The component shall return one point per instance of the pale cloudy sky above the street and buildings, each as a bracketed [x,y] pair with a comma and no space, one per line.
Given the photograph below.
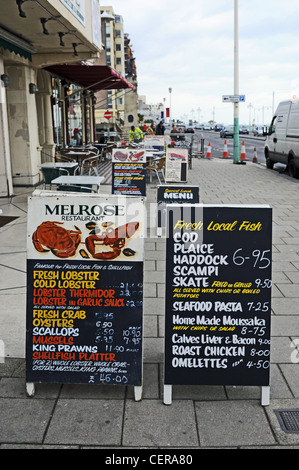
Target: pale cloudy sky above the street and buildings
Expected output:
[189,46]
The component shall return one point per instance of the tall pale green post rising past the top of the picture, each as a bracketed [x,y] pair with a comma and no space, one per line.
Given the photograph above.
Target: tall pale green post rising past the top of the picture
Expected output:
[236,86]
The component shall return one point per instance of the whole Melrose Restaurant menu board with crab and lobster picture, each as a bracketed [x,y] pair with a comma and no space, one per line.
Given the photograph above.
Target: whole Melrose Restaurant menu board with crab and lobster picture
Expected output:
[84,316]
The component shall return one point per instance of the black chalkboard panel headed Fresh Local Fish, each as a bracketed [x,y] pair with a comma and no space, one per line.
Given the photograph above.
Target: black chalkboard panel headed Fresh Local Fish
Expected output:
[218,295]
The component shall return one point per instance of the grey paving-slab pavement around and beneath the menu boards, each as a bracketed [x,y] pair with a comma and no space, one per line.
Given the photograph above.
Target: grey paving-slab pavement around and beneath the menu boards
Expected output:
[107,417]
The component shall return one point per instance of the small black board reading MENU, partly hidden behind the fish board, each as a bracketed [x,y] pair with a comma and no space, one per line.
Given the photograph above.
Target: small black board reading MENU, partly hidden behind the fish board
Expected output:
[174,194]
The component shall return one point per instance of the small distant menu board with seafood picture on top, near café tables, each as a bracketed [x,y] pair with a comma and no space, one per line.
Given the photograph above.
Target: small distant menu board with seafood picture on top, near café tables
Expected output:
[129,171]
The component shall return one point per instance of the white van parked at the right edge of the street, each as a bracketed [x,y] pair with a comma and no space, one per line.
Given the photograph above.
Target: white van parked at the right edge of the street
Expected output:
[282,145]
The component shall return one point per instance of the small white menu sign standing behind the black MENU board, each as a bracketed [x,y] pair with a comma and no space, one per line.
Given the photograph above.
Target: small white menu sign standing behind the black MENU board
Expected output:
[176,165]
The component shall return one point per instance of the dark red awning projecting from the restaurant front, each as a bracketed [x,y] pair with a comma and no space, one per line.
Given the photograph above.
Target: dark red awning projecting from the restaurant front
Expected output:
[92,77]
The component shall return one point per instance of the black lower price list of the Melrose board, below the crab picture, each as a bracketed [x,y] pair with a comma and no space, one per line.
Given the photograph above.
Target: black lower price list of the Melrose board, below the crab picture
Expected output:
[84,322]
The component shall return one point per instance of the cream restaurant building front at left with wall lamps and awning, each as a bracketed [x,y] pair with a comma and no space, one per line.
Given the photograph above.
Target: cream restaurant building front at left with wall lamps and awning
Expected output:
[49,73]
